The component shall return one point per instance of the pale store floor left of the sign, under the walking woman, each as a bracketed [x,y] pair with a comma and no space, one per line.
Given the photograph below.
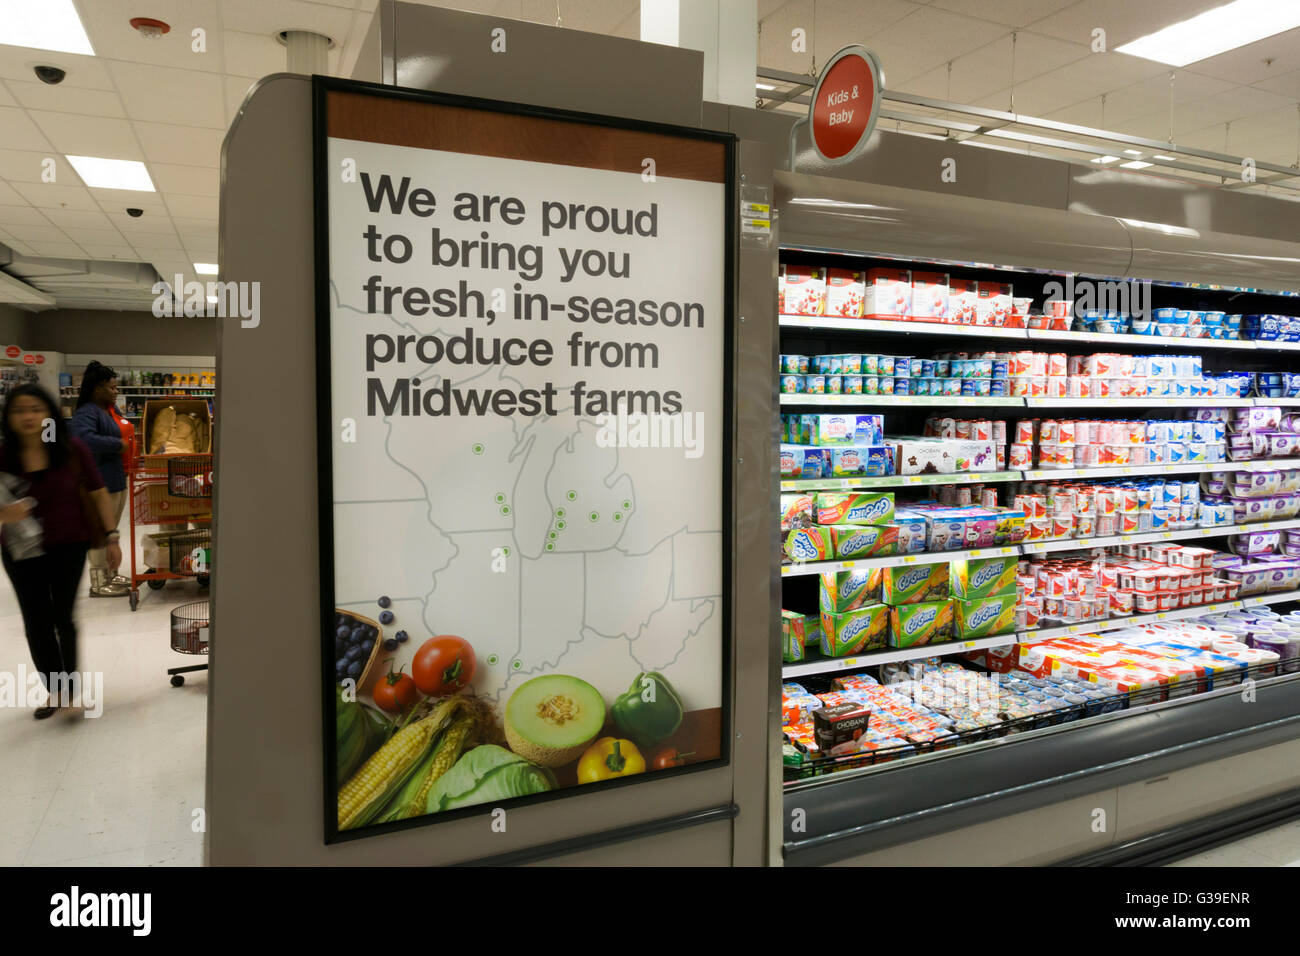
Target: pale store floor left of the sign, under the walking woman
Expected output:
[120,789]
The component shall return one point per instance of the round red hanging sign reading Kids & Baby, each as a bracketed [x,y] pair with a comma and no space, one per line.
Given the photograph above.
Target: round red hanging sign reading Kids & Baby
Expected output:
[846,103]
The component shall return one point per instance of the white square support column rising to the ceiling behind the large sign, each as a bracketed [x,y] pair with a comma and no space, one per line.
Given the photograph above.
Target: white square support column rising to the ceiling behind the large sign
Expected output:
[726,32]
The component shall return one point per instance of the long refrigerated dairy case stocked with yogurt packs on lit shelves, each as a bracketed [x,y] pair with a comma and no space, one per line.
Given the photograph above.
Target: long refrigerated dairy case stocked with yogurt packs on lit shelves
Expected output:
[1039,505]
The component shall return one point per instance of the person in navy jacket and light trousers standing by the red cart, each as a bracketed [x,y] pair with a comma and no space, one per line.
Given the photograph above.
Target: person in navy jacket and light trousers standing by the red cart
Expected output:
[98,429]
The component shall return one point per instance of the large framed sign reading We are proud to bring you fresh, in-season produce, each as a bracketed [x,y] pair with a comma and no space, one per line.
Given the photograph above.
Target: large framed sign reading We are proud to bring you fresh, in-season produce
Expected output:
[523,367]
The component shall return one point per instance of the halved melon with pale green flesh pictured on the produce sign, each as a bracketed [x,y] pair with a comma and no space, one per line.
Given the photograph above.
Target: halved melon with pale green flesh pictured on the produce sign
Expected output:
[553,719]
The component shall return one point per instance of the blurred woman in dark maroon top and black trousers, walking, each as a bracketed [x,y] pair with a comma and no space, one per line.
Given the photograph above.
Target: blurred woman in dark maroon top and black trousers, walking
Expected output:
[73,509]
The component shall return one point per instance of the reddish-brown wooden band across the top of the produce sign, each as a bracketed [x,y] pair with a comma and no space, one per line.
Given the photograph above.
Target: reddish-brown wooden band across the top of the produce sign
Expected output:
[513,136]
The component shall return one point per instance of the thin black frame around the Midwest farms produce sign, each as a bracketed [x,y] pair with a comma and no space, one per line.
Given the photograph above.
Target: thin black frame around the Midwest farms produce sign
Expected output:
[322,88]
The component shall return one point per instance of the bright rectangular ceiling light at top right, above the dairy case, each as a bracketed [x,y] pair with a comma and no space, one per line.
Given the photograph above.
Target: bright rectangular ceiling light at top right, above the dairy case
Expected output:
[1215,32]
